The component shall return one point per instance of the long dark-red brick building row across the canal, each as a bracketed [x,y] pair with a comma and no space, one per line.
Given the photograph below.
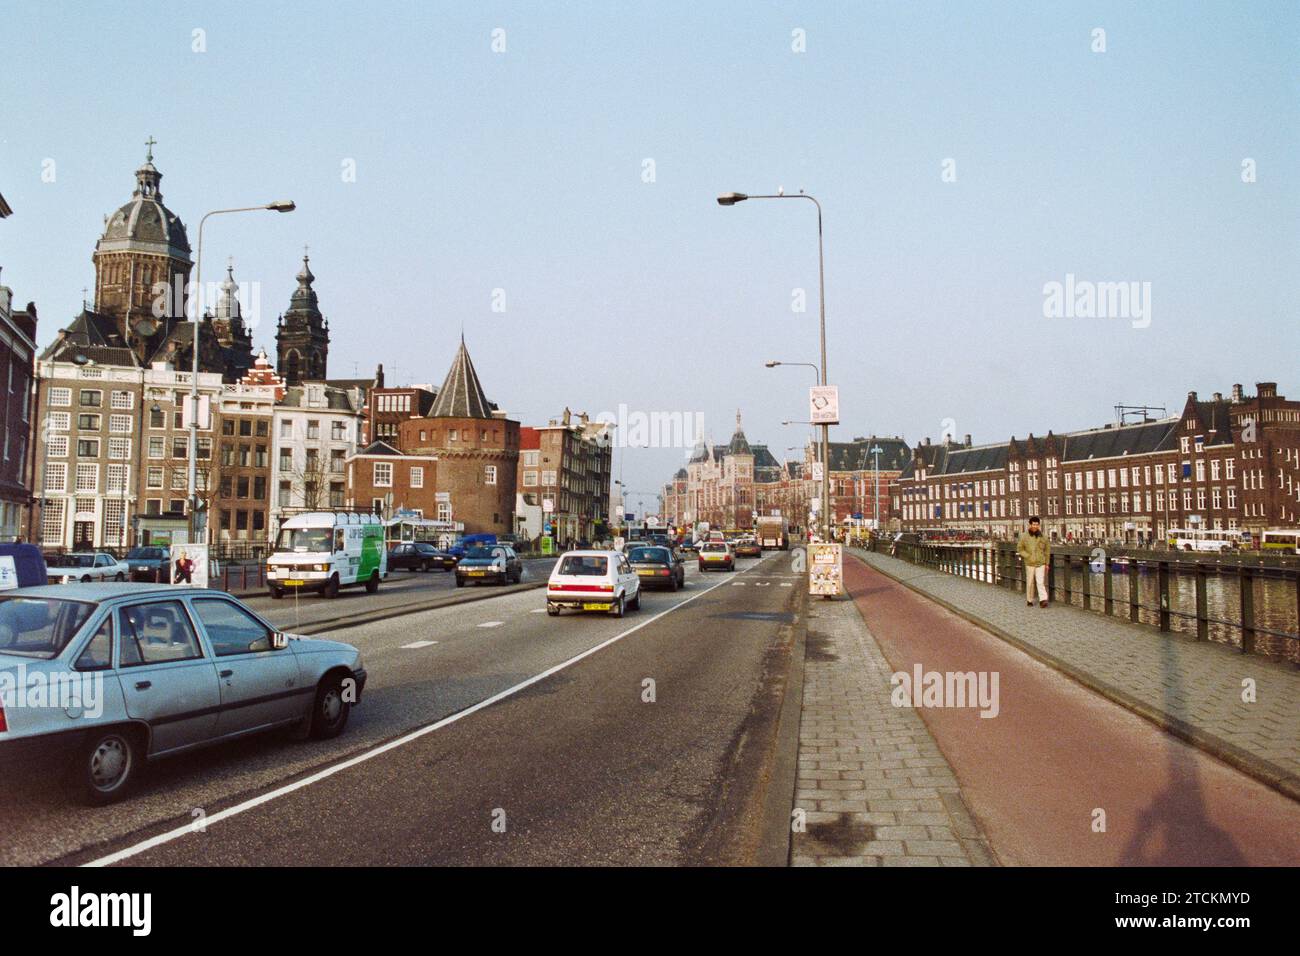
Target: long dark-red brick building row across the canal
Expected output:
[1227,464]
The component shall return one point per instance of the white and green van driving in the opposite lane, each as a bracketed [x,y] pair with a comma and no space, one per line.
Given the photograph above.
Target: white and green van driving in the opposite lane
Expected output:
[327,551]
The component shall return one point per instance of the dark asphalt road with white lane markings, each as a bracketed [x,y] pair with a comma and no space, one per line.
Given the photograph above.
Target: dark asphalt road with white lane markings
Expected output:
[577,764]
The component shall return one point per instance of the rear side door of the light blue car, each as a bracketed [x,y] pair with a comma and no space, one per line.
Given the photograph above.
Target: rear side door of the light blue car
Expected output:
[168,680]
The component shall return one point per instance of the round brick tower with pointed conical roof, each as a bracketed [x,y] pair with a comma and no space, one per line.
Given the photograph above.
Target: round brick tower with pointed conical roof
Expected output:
[478,451]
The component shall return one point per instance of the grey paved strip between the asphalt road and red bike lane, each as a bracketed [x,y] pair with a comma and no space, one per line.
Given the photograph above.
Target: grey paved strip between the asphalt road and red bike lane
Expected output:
[873,784]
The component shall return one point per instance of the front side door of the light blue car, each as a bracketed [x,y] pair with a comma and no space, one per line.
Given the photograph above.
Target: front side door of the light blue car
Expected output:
[259,685]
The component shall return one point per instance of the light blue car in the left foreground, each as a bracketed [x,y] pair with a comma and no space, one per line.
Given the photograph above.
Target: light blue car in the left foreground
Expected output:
[175,671]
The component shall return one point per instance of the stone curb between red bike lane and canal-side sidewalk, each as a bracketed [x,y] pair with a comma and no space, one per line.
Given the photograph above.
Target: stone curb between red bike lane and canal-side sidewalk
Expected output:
[1269,775]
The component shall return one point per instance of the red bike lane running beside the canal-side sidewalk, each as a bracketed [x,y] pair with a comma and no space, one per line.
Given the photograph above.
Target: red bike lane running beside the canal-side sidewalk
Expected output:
[1039,776]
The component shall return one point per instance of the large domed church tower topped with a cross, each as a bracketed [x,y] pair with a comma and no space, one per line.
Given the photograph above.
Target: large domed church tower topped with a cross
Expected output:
[142,265]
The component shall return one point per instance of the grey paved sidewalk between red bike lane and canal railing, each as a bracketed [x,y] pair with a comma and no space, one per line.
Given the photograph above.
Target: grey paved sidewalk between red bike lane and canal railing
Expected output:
[1191,690]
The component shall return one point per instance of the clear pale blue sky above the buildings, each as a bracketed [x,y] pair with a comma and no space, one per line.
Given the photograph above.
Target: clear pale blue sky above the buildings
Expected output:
[541,178]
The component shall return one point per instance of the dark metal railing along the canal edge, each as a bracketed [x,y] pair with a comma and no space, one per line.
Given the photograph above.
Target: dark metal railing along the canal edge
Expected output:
[1072,572]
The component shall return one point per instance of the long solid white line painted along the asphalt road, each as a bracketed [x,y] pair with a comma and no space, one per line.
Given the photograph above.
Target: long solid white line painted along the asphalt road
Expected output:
[161,840]
